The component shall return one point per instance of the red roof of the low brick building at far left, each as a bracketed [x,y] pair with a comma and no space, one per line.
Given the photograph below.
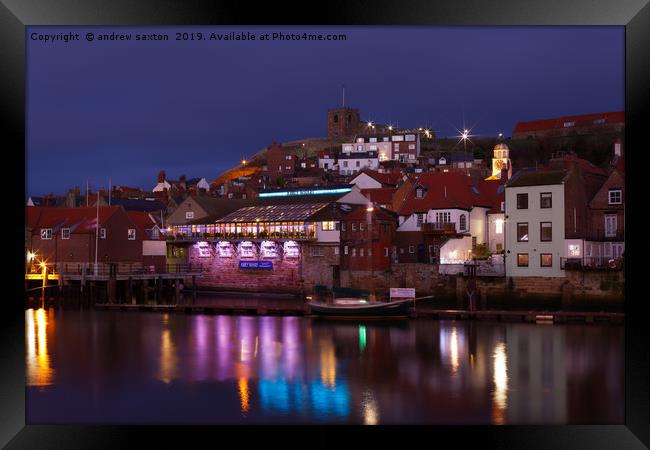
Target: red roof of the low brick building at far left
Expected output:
[79,220]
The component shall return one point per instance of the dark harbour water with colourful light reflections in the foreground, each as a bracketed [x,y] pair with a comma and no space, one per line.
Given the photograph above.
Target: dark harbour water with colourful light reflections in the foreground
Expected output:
[128,367]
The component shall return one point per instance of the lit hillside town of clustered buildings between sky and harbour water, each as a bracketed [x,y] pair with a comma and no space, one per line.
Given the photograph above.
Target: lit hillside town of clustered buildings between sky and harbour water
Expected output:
[370,207]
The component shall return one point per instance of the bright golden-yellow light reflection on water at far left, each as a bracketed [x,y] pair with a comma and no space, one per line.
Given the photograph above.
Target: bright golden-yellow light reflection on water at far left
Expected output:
[39,370]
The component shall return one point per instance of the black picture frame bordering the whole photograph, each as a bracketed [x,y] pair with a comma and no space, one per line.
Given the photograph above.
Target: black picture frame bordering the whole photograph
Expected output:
[15,15]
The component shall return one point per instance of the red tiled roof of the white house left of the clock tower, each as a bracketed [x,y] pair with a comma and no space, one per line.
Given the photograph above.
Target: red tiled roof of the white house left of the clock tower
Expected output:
[450,190]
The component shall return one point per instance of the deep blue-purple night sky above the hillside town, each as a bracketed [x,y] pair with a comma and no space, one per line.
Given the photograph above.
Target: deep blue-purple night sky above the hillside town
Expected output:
[126,110]
